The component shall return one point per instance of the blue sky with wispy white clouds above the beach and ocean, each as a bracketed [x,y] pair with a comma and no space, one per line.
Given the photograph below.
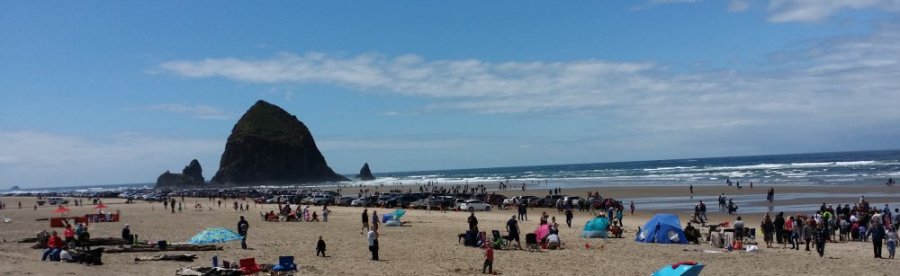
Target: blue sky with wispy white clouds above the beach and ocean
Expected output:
[115,92]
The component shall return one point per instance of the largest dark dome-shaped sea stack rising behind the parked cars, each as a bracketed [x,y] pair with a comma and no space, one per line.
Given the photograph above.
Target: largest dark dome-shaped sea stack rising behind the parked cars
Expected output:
[270,146]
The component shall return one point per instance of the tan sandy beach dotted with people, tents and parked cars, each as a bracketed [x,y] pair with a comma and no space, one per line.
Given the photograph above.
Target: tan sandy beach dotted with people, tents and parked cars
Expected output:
[428,244]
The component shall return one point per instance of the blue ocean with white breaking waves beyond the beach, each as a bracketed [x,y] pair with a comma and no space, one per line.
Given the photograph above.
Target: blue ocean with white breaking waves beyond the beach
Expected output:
[836,168]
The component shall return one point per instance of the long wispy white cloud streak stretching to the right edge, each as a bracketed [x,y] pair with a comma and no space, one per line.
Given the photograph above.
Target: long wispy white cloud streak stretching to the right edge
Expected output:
[855,74]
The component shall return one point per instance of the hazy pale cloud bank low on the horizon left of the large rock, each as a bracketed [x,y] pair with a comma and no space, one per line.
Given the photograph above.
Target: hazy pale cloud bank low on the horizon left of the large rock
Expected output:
[37,159]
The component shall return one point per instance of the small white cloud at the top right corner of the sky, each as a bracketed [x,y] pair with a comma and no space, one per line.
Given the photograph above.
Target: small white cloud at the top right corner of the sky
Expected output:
[817,10]
